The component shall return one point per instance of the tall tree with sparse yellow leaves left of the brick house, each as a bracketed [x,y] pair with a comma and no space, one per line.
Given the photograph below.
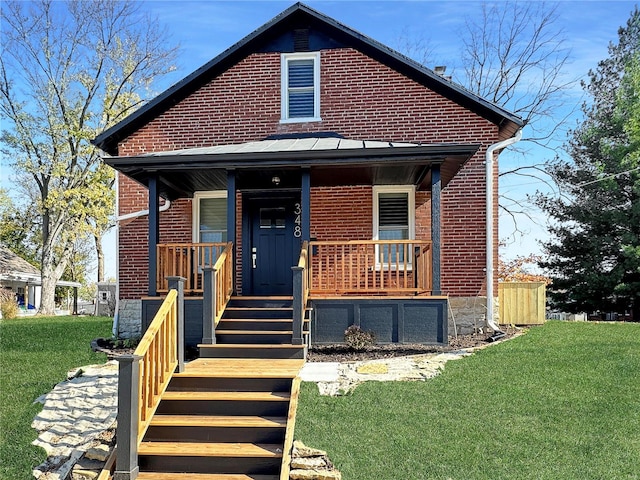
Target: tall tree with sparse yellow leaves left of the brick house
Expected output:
[68,71]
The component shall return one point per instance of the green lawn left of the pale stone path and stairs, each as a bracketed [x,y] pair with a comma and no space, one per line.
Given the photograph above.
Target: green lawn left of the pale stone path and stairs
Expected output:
[35,354]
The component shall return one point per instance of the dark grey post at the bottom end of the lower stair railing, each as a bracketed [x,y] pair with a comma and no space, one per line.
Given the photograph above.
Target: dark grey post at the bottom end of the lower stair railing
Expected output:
[127,434]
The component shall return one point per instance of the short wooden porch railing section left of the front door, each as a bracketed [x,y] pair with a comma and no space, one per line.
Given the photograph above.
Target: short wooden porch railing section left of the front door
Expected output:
[185,260]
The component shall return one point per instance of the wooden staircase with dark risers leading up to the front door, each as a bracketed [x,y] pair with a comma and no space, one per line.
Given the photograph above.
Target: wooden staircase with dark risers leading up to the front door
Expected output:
[231,413]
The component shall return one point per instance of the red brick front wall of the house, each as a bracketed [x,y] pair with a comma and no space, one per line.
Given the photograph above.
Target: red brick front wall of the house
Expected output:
[360,99]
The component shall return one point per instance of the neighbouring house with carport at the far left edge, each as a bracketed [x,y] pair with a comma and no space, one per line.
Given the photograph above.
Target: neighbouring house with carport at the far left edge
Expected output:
[22,278]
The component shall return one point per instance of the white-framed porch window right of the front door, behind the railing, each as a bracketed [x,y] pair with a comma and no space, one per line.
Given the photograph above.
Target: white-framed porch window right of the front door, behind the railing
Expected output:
[394,219]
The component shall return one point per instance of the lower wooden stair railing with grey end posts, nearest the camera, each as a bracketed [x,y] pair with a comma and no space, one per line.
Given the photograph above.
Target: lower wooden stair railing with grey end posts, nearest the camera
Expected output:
[145,375]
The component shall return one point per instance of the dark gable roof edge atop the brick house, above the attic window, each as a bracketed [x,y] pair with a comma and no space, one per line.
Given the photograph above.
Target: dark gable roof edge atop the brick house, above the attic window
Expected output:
[297,16]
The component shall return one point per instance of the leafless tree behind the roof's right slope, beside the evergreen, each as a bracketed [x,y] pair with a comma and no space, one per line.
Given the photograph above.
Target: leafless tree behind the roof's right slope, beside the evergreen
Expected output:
[514,55]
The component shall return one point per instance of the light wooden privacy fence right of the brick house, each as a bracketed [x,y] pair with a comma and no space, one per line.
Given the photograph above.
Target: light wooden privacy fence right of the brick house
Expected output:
[522,303]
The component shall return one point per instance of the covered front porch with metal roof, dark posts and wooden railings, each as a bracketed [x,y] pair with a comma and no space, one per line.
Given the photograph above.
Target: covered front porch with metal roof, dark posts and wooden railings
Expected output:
[387,280]
